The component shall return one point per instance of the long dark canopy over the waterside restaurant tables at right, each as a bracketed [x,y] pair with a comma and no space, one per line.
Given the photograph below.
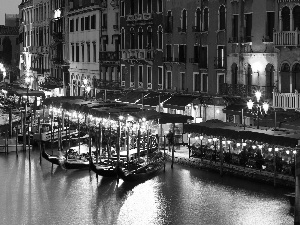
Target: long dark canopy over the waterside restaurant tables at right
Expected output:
[281,137]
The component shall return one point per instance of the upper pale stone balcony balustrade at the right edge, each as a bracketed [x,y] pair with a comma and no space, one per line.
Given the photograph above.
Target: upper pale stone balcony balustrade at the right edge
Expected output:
[287,38]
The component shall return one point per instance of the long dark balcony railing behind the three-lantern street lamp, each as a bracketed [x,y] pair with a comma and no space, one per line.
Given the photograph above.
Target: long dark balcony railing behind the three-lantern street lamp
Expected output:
[246,90]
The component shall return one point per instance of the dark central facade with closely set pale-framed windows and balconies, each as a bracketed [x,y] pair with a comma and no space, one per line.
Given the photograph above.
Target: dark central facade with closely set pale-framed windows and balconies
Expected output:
[142,44]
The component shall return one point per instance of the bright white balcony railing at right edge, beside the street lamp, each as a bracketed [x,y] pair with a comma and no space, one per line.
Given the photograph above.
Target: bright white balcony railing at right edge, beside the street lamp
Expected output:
[286,100]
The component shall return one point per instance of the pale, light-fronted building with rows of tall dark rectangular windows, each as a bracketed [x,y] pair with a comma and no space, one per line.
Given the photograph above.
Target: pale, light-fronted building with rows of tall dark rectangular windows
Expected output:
[88,35]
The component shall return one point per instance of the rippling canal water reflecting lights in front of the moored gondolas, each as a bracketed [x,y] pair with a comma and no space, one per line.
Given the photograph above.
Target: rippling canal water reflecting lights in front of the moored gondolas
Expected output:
[32,194]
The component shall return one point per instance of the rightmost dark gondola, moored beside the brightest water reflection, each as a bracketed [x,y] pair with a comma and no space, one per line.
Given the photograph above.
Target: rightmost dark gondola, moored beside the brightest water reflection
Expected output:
[141,172]
